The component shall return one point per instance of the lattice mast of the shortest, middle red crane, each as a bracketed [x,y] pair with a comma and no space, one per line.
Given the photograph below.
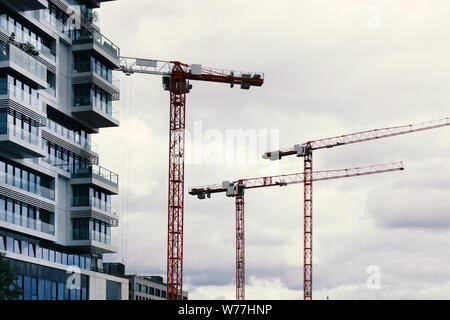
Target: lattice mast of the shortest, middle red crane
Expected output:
[240,247]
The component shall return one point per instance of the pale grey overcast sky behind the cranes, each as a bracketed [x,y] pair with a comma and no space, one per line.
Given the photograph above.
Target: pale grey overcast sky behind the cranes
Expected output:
[331,67]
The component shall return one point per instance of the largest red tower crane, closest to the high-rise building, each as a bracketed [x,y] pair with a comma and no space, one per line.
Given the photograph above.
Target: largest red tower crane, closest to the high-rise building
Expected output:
[176,76]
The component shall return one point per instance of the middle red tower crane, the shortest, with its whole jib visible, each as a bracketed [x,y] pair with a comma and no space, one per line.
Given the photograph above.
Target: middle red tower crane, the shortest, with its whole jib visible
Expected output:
[237,189]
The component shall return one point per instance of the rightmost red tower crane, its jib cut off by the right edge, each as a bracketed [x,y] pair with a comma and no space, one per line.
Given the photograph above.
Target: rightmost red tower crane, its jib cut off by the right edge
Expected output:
[305,150]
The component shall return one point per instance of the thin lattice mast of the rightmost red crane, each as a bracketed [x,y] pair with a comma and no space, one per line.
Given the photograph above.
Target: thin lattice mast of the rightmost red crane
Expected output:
[307,226]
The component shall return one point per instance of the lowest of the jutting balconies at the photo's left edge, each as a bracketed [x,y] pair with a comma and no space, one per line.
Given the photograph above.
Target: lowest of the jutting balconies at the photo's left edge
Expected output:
[20,143]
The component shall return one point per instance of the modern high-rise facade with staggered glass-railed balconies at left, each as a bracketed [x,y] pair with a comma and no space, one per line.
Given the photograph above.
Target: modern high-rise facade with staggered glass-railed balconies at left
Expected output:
[56,91]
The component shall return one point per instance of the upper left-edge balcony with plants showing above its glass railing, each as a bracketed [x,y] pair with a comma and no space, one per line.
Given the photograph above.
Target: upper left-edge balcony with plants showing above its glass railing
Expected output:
[24,64]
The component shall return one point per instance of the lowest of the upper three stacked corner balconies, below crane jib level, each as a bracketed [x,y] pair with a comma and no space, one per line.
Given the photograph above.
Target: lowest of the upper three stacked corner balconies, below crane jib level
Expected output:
[95,113]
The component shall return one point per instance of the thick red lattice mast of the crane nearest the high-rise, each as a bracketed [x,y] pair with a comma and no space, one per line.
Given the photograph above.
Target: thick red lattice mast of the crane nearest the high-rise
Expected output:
[178,85]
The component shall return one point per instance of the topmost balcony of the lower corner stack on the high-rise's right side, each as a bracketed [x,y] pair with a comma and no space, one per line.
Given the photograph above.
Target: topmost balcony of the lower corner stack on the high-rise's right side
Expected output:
[97,176]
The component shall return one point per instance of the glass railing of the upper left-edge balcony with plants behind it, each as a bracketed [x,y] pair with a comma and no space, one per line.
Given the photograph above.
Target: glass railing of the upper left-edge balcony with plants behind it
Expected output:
[23,59]
